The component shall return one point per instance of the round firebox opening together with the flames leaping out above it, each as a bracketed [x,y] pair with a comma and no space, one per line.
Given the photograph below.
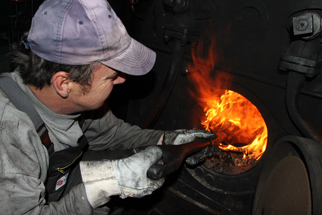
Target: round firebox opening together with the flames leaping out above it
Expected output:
[241,129]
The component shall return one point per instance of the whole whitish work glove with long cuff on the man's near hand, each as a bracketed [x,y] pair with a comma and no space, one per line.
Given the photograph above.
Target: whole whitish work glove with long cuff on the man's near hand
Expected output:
[126,177]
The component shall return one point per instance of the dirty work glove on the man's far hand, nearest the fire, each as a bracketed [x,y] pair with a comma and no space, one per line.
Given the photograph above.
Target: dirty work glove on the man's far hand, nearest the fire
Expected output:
[178,137]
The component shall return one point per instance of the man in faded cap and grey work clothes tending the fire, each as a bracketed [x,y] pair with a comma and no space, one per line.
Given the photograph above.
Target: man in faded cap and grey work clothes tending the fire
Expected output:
[73,55]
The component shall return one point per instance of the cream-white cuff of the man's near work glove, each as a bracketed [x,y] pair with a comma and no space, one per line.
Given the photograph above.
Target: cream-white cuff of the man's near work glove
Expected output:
[99,180]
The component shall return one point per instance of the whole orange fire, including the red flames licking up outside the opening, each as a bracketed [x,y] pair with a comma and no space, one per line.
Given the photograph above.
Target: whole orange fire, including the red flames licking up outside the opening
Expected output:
[237,122]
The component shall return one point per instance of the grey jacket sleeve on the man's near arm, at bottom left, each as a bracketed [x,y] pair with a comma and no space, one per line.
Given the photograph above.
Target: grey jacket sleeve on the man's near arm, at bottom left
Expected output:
[23,170]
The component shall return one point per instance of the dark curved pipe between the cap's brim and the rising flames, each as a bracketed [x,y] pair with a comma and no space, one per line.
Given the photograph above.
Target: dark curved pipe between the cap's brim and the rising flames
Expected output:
[168,84]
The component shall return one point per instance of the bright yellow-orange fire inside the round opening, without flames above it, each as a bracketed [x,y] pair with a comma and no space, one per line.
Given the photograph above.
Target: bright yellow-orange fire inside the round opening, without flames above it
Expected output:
[238,123]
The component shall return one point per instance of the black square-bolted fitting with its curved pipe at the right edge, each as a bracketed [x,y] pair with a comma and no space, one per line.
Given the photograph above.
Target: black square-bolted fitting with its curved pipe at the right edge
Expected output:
[303,59]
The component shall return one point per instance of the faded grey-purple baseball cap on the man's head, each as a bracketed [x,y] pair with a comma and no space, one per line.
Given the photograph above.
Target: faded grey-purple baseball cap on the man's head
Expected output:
[79,32]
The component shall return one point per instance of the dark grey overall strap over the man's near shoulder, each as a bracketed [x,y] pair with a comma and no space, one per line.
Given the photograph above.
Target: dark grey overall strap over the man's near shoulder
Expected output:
[22,103]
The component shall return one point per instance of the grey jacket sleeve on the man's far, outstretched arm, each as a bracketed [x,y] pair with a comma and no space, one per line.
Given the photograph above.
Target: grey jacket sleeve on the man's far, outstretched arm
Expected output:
[106,131]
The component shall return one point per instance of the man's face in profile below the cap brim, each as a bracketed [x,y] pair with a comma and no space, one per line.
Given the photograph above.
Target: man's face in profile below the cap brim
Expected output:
[103,81]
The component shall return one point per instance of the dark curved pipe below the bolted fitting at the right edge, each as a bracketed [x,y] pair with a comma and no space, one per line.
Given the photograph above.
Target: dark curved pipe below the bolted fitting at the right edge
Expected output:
[295,82]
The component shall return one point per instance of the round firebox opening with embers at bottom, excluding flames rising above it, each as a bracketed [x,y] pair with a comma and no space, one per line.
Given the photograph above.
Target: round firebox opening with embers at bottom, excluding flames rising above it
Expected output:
[241,129]
